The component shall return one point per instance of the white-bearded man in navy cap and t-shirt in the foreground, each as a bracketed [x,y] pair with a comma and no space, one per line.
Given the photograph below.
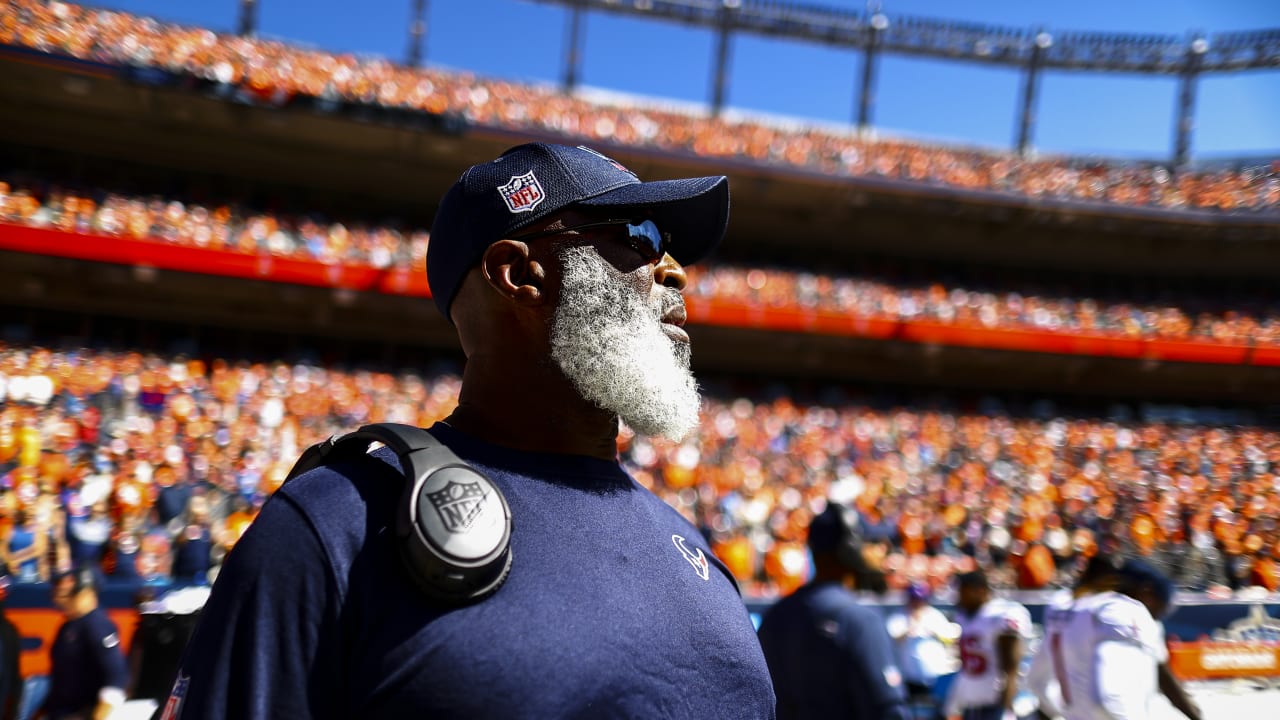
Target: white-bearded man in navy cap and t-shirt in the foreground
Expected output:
[563,274]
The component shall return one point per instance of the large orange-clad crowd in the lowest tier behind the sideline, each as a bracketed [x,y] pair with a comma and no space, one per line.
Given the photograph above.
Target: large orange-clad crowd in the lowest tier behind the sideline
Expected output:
[153,467]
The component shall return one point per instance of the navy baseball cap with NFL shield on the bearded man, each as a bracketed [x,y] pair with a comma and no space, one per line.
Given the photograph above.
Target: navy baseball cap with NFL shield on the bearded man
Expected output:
[529,183]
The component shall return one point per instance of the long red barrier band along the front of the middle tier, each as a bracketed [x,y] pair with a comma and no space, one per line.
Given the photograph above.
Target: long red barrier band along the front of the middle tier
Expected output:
[400,281]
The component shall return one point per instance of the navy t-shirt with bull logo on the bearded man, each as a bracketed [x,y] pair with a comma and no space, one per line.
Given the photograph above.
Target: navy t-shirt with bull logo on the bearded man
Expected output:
[604,614]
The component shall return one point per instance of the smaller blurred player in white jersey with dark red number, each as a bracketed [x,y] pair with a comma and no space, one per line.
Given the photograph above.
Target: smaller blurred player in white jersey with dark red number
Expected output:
[993,634]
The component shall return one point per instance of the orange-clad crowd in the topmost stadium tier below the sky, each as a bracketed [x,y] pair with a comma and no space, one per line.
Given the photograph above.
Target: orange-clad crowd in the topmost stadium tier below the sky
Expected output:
[273,74]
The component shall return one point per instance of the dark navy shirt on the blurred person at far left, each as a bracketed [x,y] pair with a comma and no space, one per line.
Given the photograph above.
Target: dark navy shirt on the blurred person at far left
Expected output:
[85,659]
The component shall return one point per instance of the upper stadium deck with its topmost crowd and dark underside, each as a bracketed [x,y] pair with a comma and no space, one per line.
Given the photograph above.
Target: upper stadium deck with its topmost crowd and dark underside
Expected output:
[130,90]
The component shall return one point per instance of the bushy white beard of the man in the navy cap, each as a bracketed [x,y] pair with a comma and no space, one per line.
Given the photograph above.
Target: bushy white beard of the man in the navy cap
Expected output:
[610,344]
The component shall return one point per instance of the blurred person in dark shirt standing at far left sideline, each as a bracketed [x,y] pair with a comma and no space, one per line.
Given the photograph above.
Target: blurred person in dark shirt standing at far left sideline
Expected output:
[88,669]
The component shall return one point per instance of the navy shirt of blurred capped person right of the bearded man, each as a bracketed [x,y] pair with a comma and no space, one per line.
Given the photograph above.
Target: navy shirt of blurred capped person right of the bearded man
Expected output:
[831,658]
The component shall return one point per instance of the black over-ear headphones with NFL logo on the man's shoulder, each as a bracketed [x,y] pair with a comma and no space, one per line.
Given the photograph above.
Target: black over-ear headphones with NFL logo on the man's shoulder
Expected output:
[452,525]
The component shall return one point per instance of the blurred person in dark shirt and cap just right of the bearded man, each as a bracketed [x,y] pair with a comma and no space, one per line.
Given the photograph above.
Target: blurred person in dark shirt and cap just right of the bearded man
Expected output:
[829,654]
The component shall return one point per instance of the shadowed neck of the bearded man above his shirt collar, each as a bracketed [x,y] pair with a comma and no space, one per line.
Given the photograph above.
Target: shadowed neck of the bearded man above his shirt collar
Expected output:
[532,408]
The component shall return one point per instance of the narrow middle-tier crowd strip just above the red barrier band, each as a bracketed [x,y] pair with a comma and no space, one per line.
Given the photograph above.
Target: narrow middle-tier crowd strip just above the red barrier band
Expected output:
[1247,320]
